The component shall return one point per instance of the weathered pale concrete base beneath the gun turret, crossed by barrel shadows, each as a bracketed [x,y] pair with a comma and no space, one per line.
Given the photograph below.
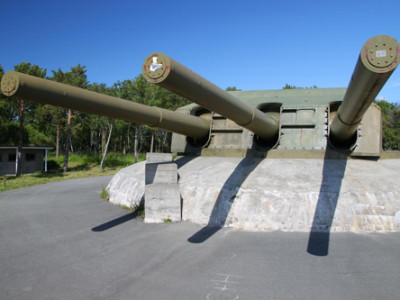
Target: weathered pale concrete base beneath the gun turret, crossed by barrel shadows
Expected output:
[290,194]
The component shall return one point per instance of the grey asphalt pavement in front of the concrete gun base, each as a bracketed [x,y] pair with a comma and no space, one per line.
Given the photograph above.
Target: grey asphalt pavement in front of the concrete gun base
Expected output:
[61,241]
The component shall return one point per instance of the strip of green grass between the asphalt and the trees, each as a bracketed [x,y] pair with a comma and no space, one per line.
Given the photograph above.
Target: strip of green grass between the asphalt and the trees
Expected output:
[79,166]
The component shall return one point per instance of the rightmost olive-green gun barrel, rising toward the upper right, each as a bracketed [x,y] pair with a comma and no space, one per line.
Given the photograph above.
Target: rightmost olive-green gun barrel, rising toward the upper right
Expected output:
[378,59]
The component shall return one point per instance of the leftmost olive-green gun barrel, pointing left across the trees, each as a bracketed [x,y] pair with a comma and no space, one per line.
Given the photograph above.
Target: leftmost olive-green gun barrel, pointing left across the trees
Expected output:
[58,94]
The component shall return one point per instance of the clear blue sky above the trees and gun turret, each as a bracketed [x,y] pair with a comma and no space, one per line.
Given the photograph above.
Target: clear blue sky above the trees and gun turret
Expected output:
[249,44]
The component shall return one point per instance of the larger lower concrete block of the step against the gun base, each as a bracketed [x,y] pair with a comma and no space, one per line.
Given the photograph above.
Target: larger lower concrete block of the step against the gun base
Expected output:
[162,201]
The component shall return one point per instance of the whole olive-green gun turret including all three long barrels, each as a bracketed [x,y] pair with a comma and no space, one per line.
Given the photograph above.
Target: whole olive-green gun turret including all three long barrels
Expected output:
[243,123]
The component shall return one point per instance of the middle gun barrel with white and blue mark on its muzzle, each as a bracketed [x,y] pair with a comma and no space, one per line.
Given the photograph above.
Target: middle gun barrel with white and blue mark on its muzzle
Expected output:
[160,69]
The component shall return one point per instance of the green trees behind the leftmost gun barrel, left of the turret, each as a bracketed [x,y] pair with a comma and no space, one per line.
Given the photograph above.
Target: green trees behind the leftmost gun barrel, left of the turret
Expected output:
[25,122]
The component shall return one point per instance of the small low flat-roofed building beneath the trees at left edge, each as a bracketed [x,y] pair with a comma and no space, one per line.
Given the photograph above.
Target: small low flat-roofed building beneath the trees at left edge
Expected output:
[34,159]
